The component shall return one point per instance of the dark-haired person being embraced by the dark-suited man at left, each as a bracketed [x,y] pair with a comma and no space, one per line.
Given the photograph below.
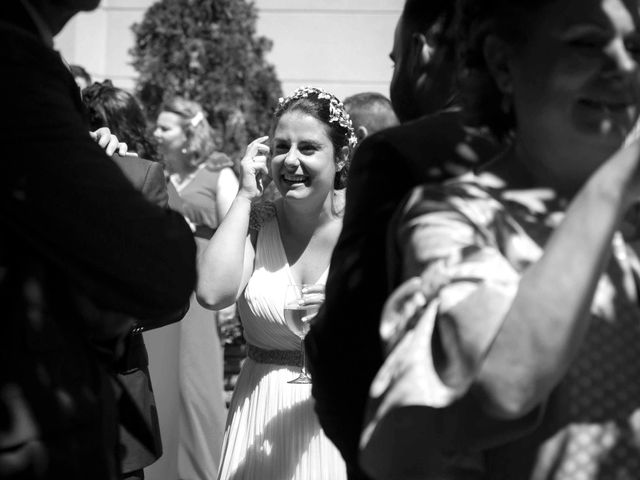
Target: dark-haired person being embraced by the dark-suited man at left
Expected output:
[111,107]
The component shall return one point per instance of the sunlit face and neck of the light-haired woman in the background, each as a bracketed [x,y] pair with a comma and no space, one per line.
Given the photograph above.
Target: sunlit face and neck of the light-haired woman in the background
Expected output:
[171,140]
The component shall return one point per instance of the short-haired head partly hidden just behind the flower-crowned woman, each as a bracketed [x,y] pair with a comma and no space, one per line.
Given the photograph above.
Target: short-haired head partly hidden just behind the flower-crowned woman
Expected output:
[369,112]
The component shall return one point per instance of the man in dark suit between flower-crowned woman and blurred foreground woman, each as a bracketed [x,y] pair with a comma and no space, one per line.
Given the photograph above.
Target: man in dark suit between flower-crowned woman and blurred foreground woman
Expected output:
[343,345]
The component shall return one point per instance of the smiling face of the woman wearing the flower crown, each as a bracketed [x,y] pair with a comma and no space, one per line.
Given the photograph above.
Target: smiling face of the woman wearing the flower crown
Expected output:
[304,161]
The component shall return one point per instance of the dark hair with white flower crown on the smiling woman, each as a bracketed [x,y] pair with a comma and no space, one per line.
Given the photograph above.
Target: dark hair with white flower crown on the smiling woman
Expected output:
[330,111]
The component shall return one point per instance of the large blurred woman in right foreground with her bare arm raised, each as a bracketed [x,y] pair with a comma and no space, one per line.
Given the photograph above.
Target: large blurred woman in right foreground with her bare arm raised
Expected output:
[512,346]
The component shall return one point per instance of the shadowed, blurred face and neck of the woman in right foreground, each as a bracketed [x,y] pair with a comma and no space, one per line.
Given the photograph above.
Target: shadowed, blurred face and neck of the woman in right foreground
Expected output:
[575,107]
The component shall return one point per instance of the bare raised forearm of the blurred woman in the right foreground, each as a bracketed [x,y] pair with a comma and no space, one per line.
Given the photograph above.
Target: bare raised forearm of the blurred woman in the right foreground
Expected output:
[549,315]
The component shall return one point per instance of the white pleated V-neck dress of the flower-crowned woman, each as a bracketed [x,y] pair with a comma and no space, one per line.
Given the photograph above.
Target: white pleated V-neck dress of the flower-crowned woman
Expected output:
[272,431]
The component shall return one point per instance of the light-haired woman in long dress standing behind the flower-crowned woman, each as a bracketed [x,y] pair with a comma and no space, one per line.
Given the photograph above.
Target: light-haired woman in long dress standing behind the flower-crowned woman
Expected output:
[206,183]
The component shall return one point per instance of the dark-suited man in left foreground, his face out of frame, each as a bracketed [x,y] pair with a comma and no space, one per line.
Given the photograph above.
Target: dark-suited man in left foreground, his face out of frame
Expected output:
[81,254]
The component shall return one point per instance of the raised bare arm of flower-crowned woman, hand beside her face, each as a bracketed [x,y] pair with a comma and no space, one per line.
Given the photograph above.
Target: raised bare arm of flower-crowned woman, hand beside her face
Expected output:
[226,264]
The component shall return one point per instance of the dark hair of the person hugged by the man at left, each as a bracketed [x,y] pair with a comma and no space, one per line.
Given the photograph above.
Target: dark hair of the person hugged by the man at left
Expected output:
[112,107]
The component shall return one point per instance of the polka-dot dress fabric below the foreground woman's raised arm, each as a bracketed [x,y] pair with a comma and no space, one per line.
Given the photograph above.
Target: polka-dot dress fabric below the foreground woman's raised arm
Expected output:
[603,385]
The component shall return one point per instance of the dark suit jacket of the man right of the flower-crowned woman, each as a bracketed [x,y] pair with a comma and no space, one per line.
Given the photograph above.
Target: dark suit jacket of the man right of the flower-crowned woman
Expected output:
[343,345]
